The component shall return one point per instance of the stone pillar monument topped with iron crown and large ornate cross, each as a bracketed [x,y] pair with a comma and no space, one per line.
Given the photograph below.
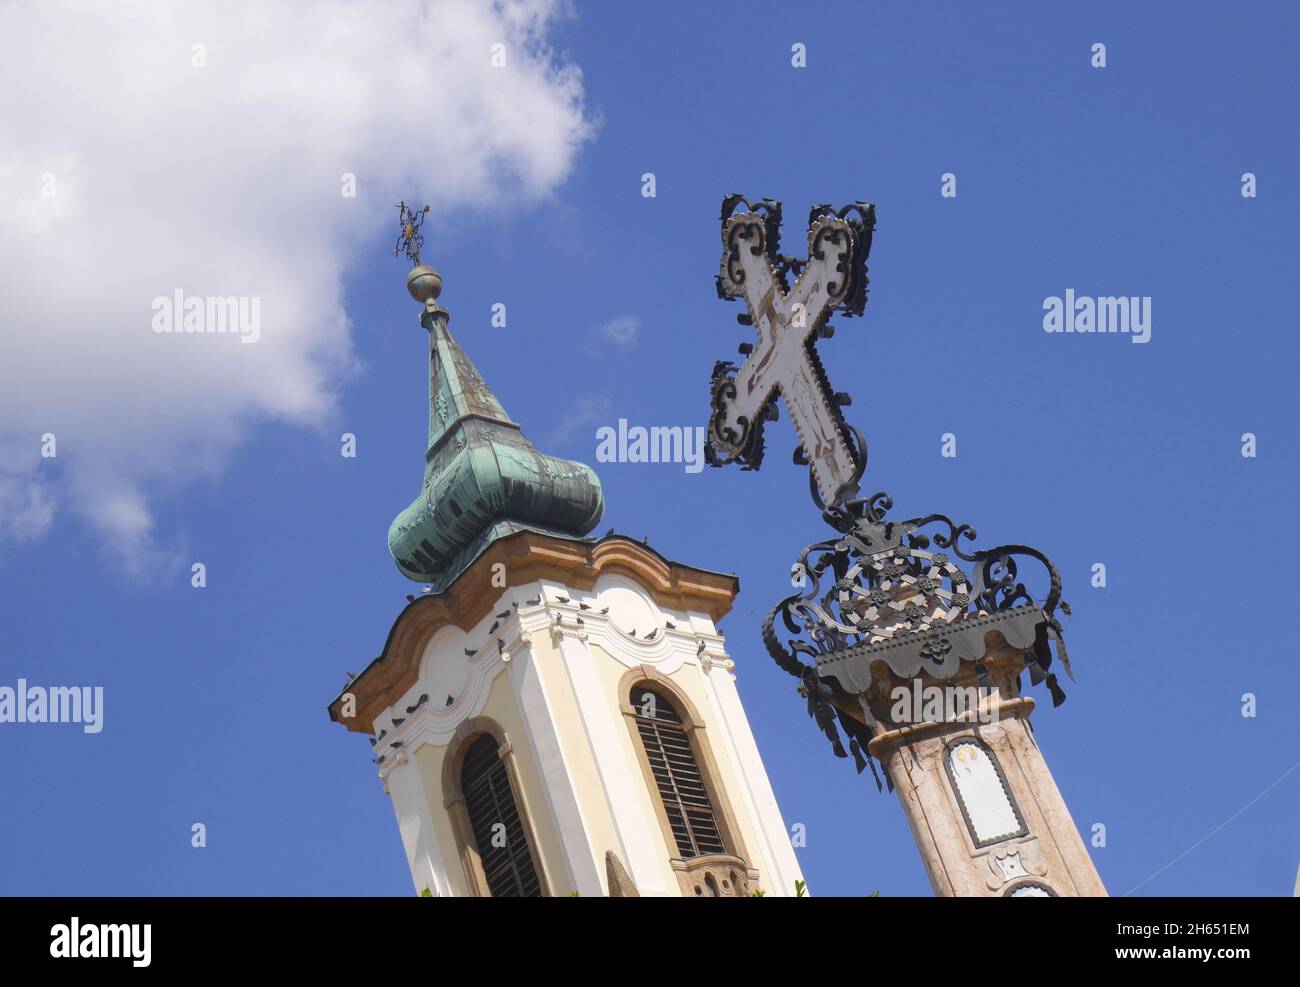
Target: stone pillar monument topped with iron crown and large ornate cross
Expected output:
[889,605]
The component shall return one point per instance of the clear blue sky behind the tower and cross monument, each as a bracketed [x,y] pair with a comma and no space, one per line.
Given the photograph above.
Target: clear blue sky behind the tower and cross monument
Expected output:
[1112,181]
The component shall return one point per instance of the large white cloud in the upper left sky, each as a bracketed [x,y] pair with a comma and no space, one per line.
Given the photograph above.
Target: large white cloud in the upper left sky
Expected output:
[227,181]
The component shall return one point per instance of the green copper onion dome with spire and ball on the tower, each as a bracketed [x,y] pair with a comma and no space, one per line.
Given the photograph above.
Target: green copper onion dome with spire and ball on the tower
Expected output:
[483,479]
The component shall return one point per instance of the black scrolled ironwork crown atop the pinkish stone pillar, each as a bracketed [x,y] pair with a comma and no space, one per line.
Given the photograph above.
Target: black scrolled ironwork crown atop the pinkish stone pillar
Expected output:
[915,595]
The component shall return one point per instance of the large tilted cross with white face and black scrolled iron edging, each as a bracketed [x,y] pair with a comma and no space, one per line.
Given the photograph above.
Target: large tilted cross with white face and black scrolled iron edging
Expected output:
[788,321]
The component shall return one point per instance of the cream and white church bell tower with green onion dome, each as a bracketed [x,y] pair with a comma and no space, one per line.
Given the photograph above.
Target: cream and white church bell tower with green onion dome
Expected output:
[557,713]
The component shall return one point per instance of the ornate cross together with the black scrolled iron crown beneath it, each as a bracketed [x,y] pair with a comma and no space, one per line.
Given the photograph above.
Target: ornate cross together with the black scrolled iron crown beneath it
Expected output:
[915,595]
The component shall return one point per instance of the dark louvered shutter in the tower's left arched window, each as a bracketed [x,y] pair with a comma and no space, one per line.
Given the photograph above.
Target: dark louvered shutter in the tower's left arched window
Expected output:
[509,869]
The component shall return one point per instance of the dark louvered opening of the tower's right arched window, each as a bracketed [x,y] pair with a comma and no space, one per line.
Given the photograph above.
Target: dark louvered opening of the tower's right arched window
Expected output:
[677,774]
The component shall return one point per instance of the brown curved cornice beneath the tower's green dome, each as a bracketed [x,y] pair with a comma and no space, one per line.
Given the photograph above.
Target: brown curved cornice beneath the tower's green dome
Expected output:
[528,557]
